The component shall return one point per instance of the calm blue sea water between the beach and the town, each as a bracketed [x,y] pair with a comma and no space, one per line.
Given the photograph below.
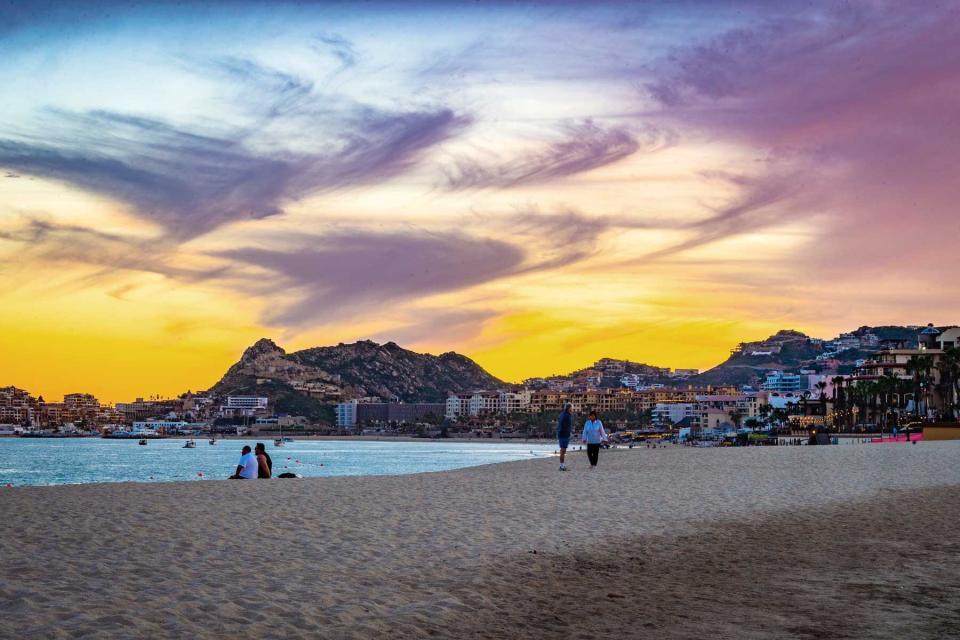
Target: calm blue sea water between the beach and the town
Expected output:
[46,461]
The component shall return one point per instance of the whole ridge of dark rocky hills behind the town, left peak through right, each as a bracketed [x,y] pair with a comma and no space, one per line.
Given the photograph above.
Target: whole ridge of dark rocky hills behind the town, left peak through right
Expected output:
[307,382]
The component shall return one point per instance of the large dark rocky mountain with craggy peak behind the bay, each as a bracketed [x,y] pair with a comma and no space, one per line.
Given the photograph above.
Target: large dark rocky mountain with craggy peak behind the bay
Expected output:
[304,381]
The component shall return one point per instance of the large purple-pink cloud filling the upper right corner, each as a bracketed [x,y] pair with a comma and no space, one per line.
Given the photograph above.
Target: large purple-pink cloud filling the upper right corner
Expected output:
[853,110]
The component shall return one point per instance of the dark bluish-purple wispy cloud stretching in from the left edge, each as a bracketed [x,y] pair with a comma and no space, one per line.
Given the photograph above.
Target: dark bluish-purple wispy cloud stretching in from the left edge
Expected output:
[191,181]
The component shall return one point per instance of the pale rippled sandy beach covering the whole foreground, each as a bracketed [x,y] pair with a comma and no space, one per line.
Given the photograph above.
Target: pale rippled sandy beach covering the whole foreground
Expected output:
[792,542]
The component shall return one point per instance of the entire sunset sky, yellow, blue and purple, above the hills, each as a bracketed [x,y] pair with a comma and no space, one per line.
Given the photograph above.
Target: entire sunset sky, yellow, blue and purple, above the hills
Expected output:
[535,185]
